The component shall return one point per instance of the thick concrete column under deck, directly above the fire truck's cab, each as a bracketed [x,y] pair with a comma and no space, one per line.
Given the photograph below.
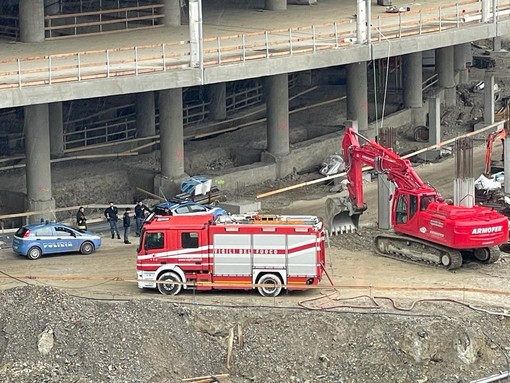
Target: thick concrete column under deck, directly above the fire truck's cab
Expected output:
[171,133]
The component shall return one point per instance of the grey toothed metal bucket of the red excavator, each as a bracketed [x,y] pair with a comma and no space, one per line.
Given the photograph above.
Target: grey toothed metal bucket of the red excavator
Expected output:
[340,216]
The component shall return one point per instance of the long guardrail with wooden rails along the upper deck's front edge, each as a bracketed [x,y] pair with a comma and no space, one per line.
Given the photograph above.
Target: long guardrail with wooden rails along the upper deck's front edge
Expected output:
[222,50]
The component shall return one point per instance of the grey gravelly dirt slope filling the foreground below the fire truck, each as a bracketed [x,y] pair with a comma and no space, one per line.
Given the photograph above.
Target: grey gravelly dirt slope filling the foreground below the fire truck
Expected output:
[49,336]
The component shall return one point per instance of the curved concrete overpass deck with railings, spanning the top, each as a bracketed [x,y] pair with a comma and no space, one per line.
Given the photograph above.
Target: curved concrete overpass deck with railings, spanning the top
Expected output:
[238,43]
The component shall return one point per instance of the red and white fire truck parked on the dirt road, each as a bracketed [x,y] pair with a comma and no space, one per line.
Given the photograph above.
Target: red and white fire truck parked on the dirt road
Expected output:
[202,252]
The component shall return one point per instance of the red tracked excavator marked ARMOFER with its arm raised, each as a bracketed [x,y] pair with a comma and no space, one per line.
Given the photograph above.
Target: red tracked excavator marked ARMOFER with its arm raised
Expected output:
[426,228]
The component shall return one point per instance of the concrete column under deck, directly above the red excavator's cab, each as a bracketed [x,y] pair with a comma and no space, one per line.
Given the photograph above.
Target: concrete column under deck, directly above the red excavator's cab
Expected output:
[413,79]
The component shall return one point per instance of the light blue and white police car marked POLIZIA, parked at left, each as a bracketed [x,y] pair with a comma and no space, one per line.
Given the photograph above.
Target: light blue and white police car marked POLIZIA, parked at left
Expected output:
[36,240]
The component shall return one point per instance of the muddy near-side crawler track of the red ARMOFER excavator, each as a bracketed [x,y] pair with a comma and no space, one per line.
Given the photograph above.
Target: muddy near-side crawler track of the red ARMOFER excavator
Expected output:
[413,250]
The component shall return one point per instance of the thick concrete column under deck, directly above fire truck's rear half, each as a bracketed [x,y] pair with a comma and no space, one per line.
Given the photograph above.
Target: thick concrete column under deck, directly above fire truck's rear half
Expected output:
[277,112]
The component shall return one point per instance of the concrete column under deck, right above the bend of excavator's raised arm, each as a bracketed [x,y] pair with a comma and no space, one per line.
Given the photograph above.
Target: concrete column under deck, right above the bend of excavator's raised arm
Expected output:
[357,104]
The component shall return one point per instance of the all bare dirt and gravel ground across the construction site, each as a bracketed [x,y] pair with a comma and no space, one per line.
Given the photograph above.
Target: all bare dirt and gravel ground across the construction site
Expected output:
[79,318]
